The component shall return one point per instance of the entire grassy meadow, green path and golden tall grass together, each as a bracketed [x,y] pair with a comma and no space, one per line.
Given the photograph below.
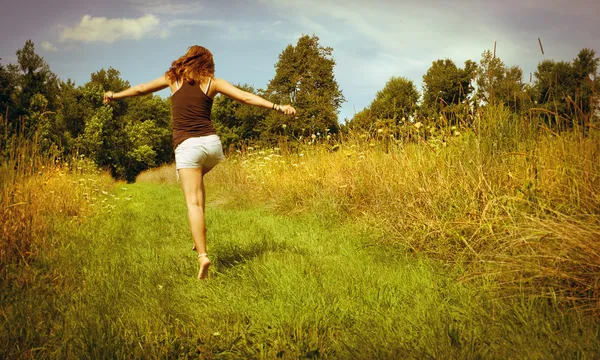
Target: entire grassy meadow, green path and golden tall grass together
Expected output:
[405,242]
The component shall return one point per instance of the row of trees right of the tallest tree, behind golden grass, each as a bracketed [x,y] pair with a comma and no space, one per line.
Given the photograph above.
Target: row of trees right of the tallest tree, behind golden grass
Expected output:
[563,93]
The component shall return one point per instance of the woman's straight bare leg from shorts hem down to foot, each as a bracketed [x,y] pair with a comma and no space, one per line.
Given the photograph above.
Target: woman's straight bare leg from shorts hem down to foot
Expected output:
[192,184]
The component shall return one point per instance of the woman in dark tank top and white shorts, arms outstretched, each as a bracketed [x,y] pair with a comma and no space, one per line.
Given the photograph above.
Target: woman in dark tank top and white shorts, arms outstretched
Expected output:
[197,147]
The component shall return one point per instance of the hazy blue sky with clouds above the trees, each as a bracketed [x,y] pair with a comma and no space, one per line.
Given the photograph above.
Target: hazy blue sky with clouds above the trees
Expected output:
[372,40]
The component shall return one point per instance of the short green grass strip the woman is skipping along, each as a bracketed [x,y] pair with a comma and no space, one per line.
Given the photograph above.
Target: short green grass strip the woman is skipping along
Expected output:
[123,285]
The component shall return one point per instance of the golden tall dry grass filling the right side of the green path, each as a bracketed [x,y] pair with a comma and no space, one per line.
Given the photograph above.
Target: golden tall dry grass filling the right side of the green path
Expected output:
[511,198]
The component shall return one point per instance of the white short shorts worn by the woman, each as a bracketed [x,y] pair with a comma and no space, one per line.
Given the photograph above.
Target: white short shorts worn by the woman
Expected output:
[198,152]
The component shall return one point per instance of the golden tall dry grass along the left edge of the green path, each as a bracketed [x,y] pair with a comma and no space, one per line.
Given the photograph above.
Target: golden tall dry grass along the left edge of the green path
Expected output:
[35,188]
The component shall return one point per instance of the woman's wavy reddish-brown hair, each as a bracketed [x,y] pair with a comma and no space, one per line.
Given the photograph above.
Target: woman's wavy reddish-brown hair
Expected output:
[196,65]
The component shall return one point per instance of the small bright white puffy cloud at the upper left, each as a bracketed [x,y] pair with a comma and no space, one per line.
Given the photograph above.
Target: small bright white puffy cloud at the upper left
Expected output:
[101,29]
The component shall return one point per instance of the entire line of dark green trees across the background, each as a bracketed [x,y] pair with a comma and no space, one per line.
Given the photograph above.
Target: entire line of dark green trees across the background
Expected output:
[132,135]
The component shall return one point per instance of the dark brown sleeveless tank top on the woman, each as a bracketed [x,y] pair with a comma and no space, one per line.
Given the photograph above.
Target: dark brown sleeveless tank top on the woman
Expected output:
[191,113]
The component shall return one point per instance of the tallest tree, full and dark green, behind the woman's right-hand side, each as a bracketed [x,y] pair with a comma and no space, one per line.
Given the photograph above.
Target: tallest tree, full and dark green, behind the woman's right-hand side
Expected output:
[304,77]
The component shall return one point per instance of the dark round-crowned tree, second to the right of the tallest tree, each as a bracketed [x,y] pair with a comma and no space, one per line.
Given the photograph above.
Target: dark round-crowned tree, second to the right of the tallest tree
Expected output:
[445,85]
